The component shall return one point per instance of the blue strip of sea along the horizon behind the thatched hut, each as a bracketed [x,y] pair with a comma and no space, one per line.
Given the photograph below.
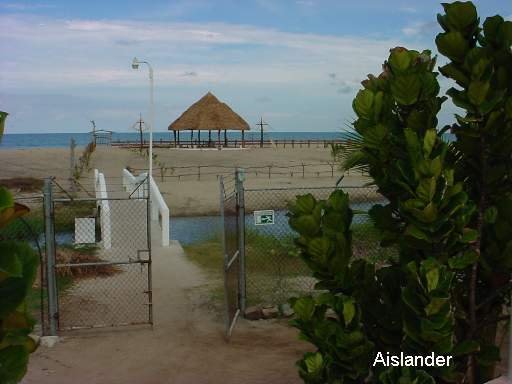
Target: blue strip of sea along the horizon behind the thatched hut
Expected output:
[32,140]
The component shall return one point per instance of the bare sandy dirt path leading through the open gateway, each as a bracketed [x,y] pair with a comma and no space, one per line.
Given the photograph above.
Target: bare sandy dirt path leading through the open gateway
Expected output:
[185,346]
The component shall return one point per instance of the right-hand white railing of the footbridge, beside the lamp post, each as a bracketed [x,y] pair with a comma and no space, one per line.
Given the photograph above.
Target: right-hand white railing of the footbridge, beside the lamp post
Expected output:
[159,209]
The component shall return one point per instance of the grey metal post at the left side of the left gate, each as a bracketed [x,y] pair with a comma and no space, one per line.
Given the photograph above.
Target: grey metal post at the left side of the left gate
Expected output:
[50,257]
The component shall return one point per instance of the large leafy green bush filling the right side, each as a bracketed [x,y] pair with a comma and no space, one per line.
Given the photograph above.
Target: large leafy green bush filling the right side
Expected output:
[448,213]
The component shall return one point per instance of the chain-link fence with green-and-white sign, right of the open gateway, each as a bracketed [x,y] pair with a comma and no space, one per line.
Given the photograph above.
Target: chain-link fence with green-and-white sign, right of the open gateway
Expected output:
[273,269]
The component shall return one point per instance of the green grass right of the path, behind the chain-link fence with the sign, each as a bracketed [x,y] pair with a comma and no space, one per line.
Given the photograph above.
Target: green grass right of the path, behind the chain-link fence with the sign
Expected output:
[275,271]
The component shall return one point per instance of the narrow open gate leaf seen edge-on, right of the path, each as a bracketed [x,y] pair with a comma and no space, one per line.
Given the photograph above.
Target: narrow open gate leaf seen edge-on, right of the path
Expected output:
[232,219]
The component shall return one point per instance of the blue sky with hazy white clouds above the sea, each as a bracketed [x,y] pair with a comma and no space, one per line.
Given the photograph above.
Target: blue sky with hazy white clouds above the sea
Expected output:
[296,63]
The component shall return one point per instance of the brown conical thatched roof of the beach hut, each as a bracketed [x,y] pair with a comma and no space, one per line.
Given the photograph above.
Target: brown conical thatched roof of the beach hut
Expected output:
[209,114]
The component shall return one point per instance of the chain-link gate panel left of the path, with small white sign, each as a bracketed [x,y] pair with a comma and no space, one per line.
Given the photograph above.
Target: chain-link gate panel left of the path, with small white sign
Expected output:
[98,261]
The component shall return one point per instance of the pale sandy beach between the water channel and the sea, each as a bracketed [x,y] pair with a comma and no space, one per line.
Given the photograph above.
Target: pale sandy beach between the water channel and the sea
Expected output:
[187,178]
